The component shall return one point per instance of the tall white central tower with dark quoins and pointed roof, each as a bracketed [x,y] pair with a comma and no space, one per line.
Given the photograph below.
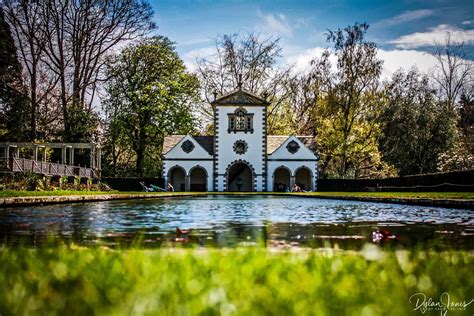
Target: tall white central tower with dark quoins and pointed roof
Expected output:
[240,143]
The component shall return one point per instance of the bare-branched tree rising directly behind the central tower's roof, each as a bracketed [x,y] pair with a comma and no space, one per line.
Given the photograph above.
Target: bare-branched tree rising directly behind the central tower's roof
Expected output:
[250,58]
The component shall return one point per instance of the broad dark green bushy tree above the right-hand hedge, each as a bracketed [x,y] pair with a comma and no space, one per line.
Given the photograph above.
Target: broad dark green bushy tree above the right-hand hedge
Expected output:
[417,128]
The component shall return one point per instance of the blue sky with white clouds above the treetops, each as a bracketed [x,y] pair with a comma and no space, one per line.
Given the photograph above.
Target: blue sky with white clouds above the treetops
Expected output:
[404,30]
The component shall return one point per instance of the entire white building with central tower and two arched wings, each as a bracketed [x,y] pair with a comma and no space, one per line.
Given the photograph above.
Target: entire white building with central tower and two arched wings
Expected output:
[240,156]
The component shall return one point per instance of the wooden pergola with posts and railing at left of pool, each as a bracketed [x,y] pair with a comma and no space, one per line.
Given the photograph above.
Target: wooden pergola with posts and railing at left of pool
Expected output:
[10,157]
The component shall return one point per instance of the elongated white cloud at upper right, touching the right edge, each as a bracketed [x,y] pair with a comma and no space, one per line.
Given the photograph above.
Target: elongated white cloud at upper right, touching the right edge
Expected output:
[434,35]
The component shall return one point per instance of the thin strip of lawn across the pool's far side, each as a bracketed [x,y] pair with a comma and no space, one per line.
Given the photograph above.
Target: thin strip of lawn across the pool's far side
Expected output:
[421,195]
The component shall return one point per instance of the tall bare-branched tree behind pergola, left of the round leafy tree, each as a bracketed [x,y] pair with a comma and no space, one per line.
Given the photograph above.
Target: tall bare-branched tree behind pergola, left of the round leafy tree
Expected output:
[82,33]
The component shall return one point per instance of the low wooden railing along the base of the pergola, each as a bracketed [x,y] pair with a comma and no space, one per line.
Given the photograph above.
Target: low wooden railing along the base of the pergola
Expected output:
[46,168]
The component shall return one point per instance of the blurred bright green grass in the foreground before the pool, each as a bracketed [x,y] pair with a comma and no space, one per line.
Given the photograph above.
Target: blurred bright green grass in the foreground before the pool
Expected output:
[87,281]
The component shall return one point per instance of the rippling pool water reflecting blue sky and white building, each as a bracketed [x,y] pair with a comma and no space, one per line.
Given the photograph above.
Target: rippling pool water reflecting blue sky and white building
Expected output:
[227,221]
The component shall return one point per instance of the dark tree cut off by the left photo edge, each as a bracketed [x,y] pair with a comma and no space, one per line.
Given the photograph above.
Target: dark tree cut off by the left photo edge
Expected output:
[13,103]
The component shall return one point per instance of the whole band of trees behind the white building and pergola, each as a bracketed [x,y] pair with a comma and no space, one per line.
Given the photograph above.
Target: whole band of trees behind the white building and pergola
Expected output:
[58,56]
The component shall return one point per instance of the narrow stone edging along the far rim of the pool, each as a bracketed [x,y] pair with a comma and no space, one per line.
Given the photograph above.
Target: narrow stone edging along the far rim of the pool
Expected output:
[42,200]
